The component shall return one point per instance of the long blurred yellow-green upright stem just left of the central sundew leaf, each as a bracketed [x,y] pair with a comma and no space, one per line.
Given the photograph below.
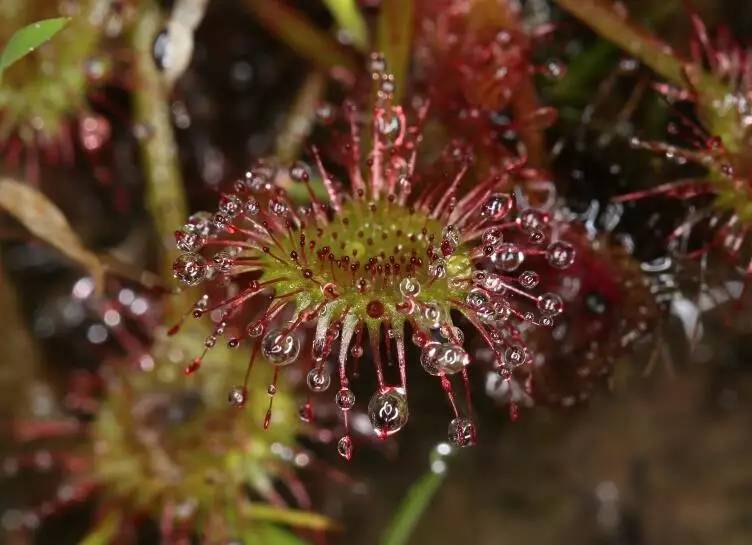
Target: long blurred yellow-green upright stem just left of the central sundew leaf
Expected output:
[165,197]
